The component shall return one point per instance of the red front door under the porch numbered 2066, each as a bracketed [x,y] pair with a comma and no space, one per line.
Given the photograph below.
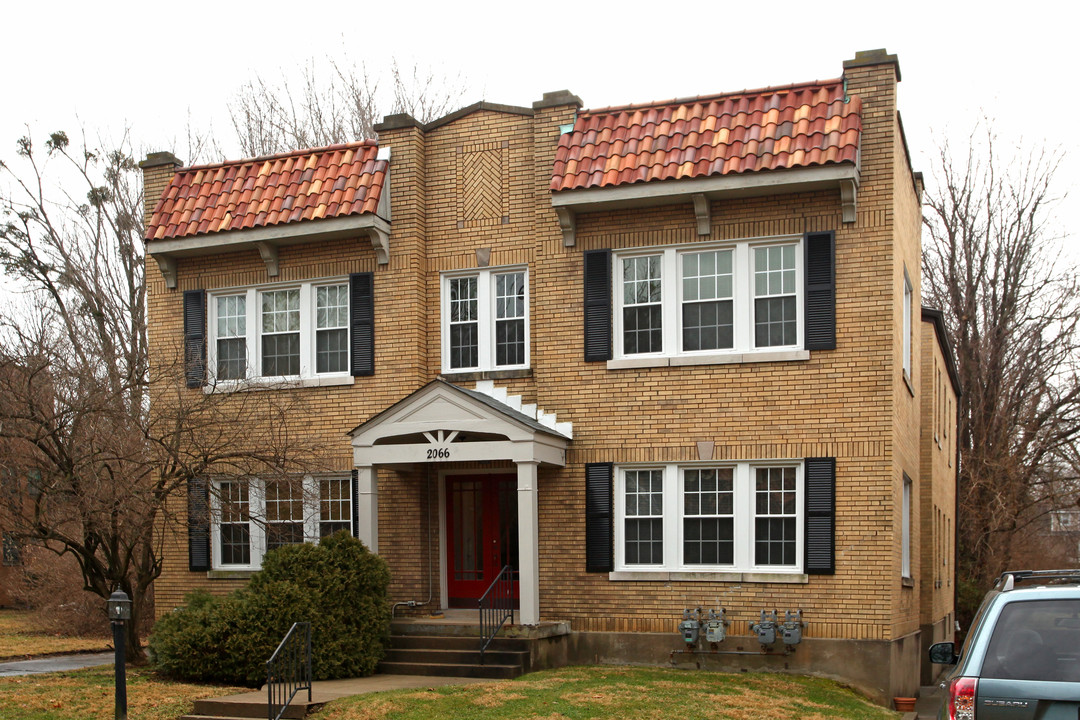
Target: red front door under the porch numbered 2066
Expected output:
[482,535]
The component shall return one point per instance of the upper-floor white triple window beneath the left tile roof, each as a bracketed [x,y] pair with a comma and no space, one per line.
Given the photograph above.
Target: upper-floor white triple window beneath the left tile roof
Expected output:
[290,332]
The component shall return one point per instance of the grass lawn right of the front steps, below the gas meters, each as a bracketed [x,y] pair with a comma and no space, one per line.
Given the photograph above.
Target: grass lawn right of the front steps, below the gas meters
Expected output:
[627,694]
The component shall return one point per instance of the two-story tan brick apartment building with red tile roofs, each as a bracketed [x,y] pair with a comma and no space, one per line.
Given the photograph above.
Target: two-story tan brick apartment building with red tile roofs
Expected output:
[653,357]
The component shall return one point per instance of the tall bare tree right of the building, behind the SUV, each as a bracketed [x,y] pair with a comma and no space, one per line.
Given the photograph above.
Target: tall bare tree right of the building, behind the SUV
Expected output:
[1012,311]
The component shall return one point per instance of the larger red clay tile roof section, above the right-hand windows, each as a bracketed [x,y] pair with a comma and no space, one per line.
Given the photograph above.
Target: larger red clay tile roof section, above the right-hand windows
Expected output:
[776,128]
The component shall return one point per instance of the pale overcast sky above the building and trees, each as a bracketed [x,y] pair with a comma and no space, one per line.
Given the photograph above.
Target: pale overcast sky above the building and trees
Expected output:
[147,66]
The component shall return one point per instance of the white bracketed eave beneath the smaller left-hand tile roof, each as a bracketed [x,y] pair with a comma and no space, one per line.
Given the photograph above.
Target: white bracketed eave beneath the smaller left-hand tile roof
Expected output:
[268,240]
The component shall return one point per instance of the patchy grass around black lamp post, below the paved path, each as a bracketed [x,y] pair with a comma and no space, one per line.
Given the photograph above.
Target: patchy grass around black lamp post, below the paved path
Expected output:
[90,695]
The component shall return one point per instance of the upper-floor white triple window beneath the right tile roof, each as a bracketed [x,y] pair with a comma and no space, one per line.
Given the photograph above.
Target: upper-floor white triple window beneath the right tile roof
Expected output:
[709,298]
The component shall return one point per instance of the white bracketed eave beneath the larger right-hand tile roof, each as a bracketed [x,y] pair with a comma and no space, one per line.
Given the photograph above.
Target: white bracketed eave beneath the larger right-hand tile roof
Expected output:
[845,176]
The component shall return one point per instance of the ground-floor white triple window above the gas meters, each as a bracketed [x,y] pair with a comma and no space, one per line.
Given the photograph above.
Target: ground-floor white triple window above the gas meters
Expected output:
[720,518]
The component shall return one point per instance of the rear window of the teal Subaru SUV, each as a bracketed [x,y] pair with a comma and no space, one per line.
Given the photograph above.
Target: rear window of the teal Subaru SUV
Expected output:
[1036,641]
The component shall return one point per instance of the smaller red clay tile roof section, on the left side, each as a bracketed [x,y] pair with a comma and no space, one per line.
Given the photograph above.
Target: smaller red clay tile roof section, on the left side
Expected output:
[305,185]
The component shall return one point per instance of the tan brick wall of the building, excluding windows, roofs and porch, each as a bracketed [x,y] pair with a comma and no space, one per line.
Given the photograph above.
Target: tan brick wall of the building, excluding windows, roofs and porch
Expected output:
[850,403]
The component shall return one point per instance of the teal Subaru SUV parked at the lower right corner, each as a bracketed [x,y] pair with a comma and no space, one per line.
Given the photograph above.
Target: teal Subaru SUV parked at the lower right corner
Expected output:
[1022,658]
